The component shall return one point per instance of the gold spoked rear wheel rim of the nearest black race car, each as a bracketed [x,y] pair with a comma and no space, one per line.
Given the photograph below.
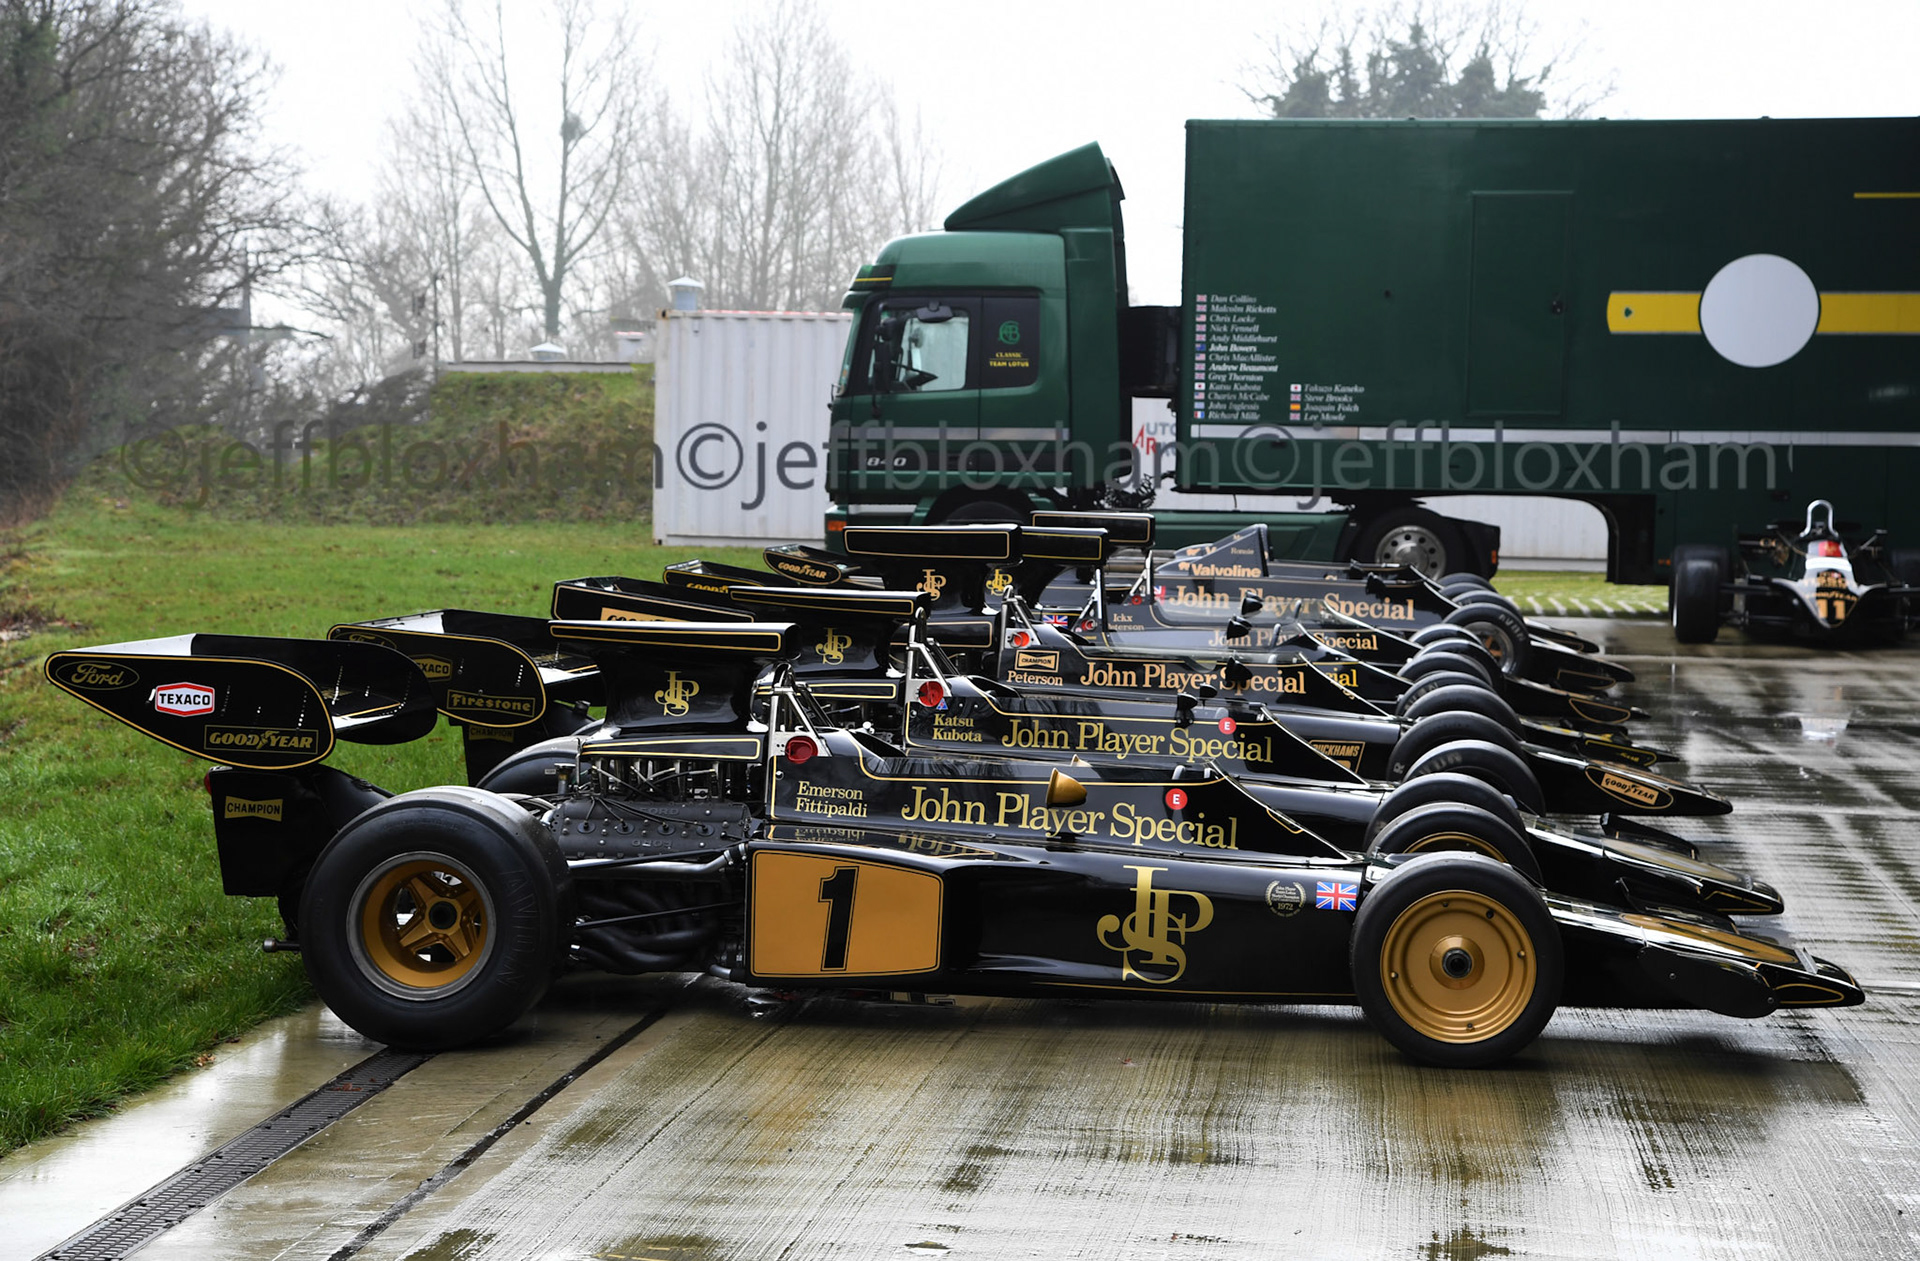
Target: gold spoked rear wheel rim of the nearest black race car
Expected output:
[420,926]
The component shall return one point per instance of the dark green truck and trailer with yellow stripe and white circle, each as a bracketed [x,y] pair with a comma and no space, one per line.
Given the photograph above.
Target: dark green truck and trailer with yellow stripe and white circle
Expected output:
[1694,327]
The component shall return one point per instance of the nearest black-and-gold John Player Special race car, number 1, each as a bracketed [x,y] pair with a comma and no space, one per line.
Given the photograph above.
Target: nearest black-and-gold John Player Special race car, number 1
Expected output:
[719,822]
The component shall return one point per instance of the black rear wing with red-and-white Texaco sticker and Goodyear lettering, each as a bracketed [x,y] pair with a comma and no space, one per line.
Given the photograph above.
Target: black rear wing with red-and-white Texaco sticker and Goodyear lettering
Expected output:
[252,702]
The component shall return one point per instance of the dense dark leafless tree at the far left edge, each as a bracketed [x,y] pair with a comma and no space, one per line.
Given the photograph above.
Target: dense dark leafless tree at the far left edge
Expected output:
[139,212]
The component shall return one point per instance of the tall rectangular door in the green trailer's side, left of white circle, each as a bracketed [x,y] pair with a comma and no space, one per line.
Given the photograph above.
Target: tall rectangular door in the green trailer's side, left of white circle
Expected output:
[1518,300]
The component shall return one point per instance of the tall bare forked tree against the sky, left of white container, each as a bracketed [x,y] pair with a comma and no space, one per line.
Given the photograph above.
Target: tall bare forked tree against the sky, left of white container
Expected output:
[552,201]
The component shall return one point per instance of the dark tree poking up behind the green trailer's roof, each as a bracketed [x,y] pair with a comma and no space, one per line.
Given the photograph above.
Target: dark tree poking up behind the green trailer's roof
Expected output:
[1429,60]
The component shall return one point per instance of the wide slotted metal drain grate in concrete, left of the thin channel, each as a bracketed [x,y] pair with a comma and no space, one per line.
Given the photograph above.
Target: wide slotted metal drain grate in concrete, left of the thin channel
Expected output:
[172,1202]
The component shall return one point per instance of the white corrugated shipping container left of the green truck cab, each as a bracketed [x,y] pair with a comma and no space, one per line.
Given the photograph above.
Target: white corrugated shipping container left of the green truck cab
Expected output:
[740,425]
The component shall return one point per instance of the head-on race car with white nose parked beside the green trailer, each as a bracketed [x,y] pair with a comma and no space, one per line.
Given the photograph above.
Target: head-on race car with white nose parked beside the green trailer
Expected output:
[1810,581]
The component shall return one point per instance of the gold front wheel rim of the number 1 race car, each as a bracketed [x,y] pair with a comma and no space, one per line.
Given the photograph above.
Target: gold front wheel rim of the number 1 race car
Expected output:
[1458,966]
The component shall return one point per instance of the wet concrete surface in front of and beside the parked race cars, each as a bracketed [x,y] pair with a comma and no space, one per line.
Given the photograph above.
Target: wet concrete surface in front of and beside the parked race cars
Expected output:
[734,1130]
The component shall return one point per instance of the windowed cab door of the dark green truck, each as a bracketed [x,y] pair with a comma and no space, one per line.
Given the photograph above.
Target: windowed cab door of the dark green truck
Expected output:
[913,391]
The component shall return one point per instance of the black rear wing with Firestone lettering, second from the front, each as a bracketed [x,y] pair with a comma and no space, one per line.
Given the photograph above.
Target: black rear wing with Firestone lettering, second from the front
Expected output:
[489,669]
